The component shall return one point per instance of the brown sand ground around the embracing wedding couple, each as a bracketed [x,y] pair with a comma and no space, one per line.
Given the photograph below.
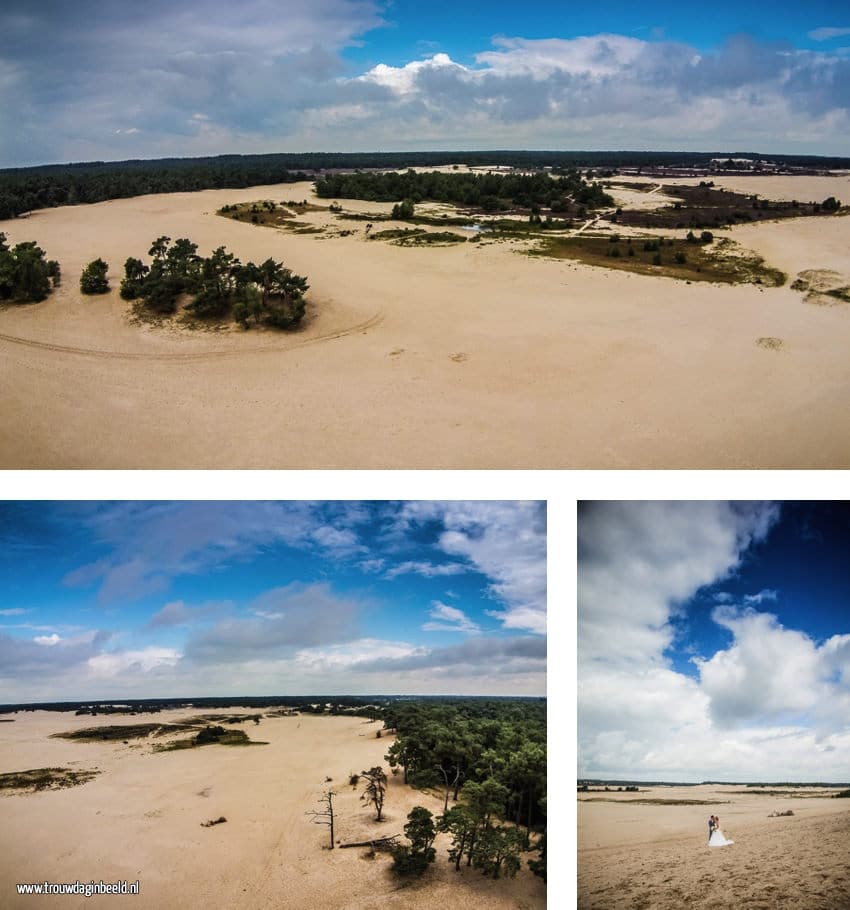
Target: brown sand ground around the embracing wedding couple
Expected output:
[650,857]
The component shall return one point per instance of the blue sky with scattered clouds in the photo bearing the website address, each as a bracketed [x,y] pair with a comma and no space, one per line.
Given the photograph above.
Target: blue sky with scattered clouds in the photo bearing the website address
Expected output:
[137,599]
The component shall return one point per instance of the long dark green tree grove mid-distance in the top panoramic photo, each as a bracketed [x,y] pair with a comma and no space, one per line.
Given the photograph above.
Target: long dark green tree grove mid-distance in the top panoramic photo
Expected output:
[491,192]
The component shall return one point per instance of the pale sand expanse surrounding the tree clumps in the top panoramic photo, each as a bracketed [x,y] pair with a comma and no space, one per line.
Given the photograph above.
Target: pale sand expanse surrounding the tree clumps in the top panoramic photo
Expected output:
[469,356]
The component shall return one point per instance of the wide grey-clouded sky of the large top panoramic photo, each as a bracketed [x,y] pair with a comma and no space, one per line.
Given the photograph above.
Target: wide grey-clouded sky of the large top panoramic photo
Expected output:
[109,79]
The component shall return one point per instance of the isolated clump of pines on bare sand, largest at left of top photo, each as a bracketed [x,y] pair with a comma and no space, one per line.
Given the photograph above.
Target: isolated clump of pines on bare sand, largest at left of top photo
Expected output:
[220,284]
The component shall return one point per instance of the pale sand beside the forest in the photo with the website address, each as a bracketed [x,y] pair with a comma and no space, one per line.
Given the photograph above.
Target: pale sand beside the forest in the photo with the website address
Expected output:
[141,819]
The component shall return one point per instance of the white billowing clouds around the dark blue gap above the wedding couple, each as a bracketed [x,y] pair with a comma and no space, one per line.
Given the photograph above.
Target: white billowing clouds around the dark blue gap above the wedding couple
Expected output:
[772,703]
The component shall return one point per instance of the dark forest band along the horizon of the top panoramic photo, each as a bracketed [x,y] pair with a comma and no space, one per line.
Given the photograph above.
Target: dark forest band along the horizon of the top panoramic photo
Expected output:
[26,189]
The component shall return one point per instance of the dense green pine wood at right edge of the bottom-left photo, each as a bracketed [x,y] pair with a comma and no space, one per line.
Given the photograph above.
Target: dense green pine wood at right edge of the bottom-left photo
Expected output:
[489,758]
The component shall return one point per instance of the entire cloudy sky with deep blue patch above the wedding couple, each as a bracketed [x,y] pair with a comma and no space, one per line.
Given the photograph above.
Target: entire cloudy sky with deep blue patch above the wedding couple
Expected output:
[714,641]
